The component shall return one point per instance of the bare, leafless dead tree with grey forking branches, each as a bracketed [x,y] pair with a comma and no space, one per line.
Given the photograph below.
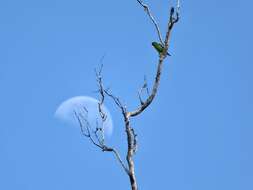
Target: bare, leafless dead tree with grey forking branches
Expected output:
[96,136]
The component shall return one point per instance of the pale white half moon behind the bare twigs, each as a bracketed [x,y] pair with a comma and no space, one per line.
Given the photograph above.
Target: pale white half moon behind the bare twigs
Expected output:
[66,113]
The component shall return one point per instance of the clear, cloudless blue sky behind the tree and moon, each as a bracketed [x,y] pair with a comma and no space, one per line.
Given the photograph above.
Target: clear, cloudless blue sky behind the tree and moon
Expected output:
[196,135]
